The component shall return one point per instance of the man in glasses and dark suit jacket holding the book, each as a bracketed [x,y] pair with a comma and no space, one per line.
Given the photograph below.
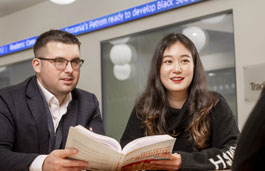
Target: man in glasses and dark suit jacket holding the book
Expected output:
[36,114]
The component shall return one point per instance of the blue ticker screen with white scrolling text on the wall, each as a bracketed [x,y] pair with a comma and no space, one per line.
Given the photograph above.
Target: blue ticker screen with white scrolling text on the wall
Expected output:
[105,21]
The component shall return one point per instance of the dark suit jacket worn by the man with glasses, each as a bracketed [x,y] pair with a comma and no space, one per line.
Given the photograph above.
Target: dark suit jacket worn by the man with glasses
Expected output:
[23,122]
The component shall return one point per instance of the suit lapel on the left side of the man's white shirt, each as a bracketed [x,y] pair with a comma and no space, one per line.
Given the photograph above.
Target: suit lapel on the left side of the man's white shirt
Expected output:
[37,107]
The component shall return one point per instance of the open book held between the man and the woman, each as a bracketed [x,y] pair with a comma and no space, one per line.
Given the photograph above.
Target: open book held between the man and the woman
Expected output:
[105,153]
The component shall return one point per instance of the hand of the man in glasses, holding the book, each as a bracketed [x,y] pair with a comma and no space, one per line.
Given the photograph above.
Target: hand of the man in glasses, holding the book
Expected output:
[57,160]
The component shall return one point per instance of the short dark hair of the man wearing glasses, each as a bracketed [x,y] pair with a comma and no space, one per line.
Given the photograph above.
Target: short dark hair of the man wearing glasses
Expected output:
[56,36]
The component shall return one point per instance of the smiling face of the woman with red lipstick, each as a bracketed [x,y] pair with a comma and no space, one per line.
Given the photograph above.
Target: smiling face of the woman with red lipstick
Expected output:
[177,68]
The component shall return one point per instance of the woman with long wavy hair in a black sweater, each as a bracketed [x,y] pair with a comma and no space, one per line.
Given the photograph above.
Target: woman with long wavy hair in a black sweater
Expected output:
[177,102]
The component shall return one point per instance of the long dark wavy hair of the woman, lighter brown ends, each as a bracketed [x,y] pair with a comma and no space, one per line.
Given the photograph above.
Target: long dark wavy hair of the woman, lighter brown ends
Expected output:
[153,104]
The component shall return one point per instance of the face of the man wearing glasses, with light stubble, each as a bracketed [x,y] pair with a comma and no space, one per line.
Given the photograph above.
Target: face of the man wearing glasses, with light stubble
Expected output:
[59,82]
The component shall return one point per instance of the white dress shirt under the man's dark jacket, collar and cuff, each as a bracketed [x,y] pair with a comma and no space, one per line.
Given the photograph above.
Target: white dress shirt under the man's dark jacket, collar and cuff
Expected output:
[57,112]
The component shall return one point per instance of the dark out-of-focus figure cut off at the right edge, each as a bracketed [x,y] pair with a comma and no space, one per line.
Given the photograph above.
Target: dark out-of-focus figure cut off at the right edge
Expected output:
[250,151]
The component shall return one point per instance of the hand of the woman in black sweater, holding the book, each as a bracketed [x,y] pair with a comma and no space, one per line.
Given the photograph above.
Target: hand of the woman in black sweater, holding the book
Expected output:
[174,162]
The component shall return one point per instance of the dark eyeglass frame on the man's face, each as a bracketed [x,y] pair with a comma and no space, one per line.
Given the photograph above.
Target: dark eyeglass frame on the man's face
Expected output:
[81,61]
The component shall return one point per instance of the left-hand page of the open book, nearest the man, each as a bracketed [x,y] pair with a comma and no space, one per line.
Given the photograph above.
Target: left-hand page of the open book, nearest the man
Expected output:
[99,156]
